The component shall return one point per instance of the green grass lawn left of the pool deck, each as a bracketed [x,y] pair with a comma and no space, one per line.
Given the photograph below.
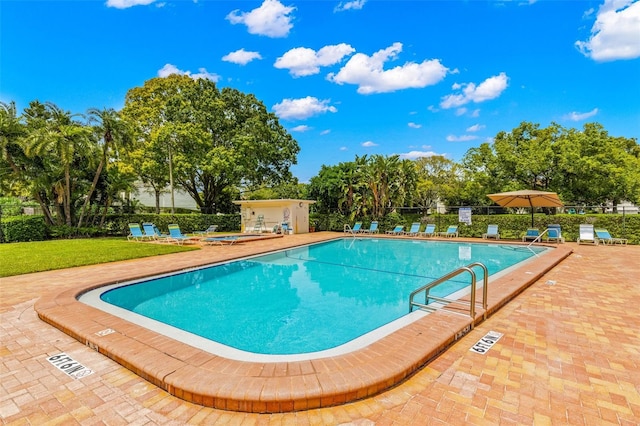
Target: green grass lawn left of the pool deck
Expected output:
[24,258]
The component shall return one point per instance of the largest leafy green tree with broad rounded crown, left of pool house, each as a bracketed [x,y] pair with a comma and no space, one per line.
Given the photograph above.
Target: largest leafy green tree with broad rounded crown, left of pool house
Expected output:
[211,139]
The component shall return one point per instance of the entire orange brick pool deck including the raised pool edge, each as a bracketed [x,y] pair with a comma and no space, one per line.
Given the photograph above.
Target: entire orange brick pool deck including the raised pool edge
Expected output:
[570,354]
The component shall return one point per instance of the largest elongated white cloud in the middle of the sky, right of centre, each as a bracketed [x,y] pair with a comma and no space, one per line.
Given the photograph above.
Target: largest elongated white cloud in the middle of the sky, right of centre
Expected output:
[369,74]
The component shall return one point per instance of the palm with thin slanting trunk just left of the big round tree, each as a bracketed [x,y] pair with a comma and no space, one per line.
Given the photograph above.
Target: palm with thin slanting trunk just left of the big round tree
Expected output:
[112,132]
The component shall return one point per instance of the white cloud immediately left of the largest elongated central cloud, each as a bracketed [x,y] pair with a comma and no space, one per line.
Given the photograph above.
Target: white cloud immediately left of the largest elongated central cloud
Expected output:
[302,61]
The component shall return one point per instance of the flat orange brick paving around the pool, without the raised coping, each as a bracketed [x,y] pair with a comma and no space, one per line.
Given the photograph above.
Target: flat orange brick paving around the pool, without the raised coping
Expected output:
[570,354]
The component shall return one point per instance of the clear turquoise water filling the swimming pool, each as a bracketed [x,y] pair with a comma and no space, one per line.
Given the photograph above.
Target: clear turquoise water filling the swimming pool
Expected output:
[310,298]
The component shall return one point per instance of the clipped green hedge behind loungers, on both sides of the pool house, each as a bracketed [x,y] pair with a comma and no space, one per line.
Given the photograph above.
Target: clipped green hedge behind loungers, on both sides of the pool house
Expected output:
[33,228]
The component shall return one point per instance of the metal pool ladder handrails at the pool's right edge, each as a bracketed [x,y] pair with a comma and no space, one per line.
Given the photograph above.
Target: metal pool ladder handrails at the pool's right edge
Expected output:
[443,301]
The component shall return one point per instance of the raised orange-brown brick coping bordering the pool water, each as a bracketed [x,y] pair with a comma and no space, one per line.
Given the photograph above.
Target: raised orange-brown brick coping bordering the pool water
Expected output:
[200,377]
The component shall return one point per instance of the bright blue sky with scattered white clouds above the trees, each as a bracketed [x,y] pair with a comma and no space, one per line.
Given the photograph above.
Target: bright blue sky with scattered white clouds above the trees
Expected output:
[349,78]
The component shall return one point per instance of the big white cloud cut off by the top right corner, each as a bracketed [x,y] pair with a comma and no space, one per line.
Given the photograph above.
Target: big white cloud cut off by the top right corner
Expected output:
[616,32]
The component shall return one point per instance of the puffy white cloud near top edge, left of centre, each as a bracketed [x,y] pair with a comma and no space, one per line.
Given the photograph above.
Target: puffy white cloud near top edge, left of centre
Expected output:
[271,19]
